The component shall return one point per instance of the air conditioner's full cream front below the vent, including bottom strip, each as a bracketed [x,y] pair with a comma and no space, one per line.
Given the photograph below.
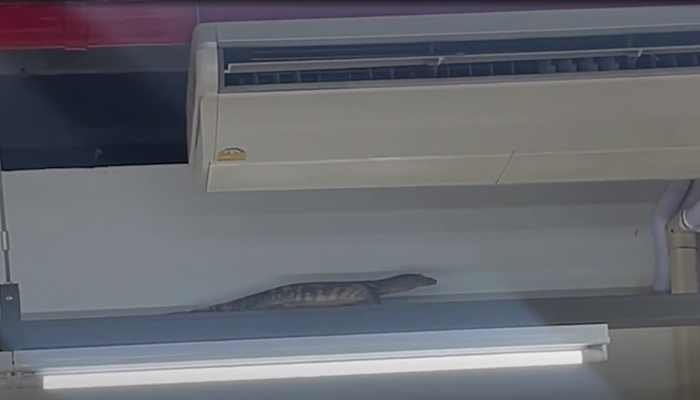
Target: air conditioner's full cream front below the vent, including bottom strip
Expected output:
[516,132]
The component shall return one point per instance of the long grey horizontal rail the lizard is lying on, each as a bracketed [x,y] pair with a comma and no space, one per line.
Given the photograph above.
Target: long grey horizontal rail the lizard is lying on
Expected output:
[619,312]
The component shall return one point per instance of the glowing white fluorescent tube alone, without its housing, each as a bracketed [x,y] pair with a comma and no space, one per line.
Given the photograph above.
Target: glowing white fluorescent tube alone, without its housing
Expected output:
[313,369]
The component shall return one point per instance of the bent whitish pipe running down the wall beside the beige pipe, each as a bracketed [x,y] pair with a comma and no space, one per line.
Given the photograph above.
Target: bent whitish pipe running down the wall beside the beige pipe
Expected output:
[666,208]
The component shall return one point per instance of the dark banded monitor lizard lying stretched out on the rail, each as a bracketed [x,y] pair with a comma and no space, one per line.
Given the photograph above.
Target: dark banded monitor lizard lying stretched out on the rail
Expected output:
[324,294]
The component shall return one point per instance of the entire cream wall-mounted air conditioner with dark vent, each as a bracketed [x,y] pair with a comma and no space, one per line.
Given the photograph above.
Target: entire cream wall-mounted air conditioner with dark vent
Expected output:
[490,98]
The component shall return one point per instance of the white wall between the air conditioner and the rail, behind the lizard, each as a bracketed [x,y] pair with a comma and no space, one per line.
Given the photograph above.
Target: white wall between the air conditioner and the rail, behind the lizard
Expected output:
[141,237]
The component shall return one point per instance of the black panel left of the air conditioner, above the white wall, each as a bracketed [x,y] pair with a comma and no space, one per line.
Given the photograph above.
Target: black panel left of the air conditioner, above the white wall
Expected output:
[84,121]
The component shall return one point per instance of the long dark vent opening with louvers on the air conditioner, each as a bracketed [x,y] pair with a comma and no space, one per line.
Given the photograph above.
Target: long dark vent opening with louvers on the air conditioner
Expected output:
[260,67]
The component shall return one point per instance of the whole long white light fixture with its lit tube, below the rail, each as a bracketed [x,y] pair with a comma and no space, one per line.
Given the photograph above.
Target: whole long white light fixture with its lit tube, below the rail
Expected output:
[306,357]
